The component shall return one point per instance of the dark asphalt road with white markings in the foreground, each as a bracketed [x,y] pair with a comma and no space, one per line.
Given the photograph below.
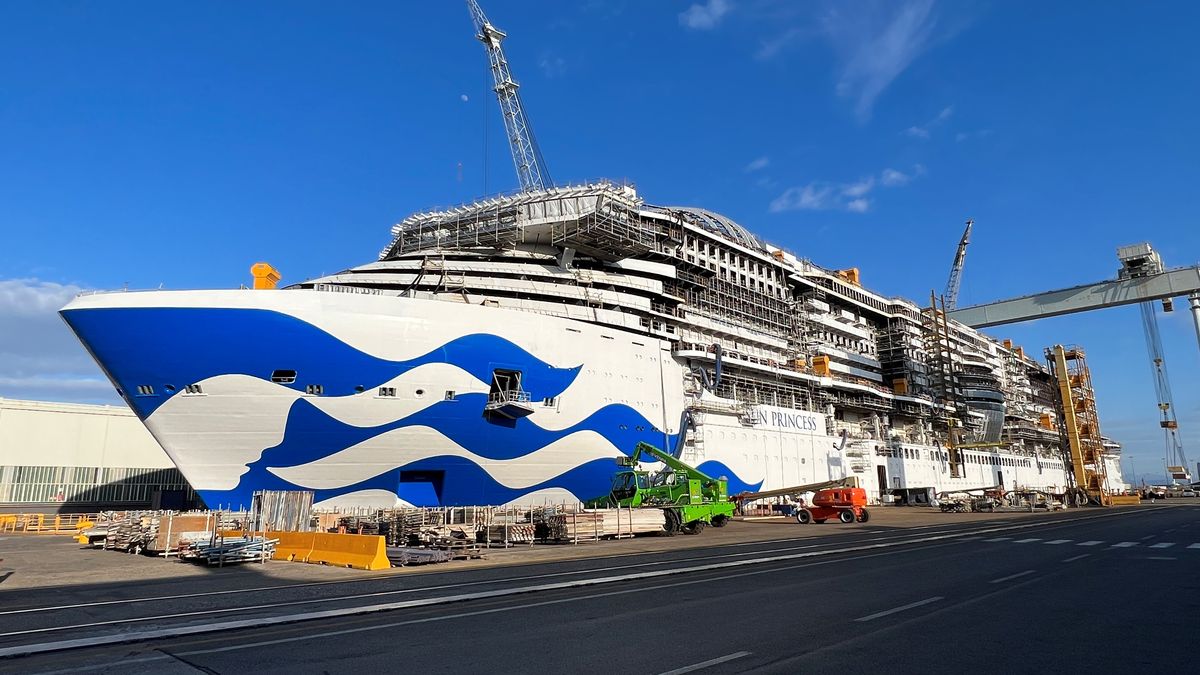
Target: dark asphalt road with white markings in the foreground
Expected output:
[1096,589]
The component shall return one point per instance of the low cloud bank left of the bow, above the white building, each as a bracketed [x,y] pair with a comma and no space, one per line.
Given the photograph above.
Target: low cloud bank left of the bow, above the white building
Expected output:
[40,357]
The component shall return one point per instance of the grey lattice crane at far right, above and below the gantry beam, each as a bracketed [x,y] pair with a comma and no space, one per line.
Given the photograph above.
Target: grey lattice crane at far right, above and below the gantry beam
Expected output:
[1139,261]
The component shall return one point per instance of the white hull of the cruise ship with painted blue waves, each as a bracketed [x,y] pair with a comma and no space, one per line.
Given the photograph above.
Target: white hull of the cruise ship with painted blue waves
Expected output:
[377,401]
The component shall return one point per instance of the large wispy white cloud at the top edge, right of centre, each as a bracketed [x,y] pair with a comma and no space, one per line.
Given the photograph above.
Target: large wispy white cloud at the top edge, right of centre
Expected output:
[877,43]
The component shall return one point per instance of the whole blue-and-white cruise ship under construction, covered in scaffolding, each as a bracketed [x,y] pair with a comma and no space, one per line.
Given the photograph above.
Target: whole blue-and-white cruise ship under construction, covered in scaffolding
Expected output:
[509,350]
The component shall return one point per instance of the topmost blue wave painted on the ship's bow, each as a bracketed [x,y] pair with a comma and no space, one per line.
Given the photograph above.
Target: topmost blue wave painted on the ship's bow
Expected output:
[182,347]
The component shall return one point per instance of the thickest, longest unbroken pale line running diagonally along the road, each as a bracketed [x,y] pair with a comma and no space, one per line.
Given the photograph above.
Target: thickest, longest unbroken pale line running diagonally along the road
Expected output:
[195,630]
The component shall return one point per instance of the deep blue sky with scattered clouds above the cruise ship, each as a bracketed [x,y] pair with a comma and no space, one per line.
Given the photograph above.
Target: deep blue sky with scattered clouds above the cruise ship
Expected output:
[149,145]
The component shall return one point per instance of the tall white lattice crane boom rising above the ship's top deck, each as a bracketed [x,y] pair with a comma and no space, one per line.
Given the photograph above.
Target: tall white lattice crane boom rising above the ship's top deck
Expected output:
[527,159]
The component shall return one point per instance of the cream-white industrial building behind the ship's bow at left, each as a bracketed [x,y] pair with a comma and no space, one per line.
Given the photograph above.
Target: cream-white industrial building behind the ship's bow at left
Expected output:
[73,457]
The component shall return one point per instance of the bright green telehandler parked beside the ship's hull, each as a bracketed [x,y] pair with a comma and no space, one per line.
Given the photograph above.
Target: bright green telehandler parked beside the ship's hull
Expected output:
[691,499]
